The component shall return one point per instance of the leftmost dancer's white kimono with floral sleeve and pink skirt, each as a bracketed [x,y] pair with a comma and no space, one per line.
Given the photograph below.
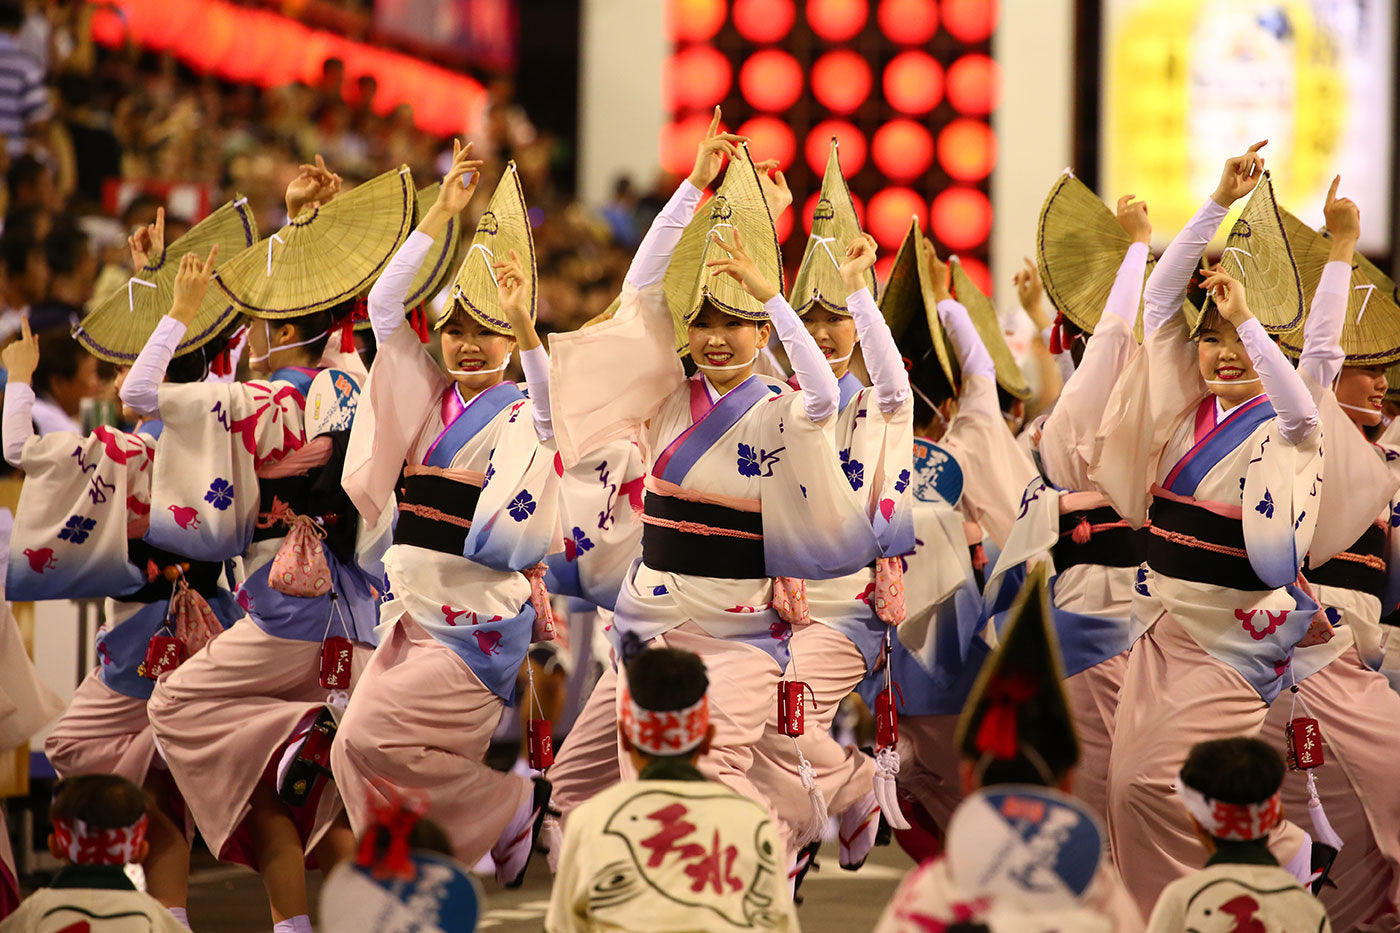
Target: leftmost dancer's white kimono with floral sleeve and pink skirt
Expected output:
[83,516]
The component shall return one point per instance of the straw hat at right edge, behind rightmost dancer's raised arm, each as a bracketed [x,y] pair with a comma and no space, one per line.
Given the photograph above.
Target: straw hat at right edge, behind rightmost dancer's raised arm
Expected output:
[1371,324]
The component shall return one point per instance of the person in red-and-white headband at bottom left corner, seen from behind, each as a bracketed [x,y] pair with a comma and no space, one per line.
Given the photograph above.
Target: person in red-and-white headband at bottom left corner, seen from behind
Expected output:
[99,829]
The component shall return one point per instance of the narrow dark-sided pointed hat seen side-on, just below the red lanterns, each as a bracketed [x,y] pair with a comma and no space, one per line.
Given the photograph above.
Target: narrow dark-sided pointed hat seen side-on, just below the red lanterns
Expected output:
[912,313]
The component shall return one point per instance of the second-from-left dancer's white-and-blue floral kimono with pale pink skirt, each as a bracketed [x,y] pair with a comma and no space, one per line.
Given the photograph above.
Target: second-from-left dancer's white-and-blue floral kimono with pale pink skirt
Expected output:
[236,467]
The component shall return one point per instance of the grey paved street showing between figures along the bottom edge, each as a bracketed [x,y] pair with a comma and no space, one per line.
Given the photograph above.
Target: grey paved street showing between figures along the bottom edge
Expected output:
[230,900]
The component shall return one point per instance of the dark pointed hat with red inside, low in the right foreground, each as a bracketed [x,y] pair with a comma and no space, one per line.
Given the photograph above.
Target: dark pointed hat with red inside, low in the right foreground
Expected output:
[1024,677]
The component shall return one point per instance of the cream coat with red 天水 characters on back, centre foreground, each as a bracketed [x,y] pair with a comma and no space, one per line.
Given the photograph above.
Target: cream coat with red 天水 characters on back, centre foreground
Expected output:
[717,866]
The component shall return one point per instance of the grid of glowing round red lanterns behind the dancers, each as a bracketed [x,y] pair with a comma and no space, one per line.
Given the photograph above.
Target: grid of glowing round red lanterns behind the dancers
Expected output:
[908,88]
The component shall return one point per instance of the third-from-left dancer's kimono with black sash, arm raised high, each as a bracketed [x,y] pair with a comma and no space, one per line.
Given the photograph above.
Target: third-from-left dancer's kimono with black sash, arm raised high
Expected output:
[477,513]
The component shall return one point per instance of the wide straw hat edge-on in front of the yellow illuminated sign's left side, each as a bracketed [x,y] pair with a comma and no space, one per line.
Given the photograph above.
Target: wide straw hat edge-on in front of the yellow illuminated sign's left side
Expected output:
[1079,251]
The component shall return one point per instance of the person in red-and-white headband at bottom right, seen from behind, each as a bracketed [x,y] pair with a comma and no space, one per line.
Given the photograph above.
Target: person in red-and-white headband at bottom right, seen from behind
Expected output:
[1231,787]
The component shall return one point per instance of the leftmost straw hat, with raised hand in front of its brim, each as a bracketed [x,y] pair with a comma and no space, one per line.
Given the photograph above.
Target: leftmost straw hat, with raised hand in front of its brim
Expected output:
[118,329]
